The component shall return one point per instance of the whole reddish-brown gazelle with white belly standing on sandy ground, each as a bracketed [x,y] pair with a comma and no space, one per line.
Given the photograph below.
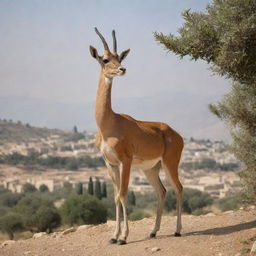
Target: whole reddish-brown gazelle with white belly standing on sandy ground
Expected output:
[126,143]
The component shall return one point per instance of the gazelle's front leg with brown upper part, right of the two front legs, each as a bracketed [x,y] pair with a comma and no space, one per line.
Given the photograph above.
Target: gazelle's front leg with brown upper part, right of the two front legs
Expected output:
[124,182]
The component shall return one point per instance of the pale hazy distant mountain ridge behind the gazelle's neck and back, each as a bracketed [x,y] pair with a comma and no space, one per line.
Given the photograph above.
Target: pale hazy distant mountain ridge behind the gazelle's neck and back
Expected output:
[186,113]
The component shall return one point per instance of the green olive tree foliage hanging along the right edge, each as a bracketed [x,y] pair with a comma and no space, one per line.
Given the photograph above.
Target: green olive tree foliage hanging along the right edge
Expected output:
[224,36]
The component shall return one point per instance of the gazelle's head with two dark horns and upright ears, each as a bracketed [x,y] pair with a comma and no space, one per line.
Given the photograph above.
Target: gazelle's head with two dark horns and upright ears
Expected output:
[110,61]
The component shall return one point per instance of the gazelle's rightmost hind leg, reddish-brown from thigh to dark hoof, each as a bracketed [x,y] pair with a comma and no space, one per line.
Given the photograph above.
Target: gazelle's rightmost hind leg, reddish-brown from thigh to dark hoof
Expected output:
[170,163]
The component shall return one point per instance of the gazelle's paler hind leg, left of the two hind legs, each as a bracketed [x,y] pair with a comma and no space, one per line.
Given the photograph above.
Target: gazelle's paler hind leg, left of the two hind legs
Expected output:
[153,177]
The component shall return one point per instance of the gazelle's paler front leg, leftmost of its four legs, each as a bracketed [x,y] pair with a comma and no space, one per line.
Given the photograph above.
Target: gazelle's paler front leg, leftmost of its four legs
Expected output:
[114,173]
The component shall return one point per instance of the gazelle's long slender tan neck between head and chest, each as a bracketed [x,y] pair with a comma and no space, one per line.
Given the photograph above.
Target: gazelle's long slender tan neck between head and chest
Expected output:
[104,113]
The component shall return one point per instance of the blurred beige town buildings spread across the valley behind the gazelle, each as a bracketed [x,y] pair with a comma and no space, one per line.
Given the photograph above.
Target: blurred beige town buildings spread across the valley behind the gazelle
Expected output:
[206,165]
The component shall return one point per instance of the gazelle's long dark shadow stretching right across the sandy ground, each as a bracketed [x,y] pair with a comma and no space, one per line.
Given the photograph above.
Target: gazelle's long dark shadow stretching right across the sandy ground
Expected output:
[213,231]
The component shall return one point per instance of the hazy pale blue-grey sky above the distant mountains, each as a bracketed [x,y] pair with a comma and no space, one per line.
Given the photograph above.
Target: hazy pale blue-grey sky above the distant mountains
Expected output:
[44,49]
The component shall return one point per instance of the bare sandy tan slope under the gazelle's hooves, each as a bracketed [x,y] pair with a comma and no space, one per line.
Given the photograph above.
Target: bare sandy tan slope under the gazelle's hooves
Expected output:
[230,233]
